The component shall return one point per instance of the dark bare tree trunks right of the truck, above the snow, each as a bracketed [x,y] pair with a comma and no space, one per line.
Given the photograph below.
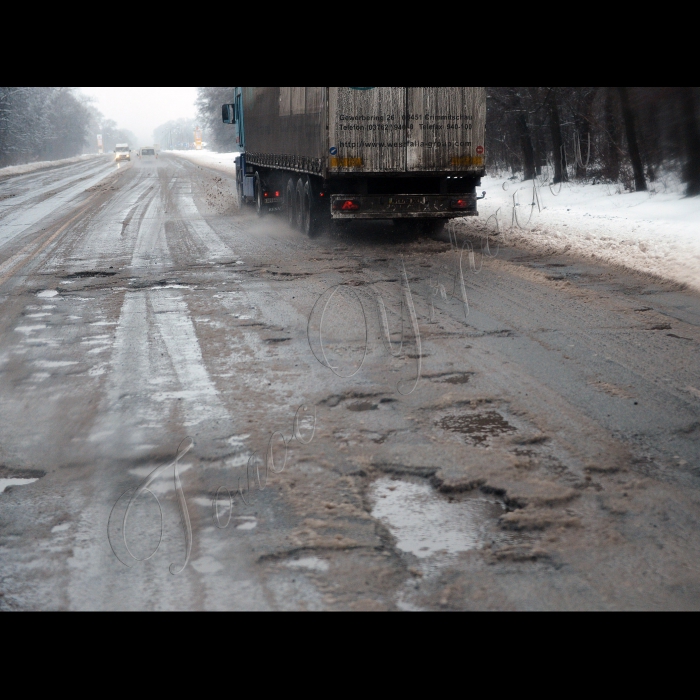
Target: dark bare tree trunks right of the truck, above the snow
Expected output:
[610,133]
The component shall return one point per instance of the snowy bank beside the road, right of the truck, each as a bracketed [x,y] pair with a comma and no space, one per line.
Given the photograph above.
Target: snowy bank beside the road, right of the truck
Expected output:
[652,233]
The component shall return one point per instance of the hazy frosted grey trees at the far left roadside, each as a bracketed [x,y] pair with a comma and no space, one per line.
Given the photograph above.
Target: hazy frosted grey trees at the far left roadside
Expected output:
[41,123]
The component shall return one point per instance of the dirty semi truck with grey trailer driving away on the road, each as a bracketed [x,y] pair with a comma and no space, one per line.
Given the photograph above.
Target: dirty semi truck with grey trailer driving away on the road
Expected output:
[323,154]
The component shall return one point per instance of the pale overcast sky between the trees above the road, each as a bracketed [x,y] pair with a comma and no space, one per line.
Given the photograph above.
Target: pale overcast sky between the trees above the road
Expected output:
[141,110]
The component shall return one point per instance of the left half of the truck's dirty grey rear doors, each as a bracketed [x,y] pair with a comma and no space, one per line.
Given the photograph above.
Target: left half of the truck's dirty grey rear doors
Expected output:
[367,129]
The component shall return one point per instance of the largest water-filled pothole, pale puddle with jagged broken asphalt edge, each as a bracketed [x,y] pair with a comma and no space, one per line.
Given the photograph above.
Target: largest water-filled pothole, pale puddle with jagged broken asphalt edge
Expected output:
[428,525]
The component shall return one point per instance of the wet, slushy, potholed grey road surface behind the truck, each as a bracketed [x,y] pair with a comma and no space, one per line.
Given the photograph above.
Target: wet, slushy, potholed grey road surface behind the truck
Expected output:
[547,458]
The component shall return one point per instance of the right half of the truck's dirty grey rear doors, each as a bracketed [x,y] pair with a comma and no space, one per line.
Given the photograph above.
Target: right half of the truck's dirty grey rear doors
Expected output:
[445,128]
